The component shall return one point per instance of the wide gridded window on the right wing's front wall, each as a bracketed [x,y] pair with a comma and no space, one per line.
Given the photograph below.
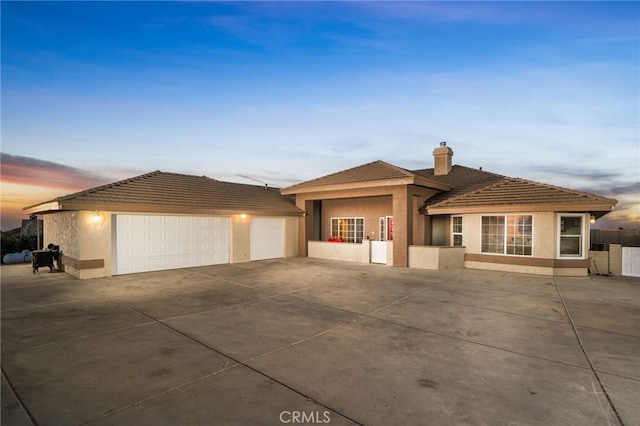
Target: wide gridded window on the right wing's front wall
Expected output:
[510,234]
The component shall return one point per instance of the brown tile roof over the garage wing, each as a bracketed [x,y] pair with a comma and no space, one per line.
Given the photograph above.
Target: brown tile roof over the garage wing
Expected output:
[160,191]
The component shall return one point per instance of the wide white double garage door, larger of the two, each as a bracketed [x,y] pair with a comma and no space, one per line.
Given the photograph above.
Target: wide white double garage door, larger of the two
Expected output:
[154,243]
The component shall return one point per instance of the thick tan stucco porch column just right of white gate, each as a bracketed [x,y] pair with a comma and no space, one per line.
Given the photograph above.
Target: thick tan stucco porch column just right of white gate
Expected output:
[402,226]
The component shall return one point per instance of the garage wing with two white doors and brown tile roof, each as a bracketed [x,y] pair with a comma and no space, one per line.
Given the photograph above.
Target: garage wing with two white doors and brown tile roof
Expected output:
[164,220]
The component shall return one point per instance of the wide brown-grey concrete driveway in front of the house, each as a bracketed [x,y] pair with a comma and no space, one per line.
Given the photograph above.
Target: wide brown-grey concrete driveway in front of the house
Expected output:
[305,341]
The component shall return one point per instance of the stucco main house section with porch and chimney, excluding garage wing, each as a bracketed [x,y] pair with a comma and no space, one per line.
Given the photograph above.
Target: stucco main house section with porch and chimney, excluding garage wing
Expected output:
[448,216]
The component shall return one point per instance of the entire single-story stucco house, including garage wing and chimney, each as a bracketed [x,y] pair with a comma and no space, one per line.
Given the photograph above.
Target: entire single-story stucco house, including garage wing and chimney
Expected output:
[448,216]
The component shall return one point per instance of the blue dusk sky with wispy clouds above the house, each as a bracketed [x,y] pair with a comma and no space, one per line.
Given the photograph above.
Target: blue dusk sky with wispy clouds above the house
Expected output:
[282,92]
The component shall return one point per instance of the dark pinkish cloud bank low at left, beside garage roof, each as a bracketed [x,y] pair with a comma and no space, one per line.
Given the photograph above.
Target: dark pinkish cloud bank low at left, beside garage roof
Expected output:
[31,171]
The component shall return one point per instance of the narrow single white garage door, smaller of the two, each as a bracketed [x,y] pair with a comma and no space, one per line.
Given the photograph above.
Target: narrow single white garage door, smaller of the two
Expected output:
[267,238]
